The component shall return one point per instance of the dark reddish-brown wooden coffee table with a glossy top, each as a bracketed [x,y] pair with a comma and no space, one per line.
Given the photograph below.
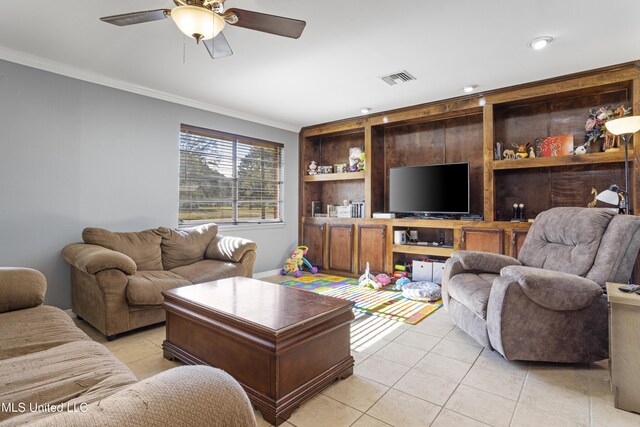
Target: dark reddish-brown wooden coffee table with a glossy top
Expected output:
[283,345]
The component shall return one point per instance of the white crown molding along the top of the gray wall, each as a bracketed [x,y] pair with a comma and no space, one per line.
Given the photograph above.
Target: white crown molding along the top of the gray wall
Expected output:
[55,67]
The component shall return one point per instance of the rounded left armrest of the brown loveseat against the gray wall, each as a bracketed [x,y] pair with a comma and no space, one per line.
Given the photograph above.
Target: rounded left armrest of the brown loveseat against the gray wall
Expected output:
[92,259]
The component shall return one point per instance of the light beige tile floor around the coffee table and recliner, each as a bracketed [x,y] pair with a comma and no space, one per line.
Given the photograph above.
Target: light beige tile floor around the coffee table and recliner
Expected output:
[428,374]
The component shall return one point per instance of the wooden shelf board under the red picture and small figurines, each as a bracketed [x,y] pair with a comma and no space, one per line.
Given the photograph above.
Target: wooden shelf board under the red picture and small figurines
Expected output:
[545,162]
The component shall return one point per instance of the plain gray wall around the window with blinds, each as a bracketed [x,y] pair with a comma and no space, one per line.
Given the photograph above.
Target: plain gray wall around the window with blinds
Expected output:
[75,154]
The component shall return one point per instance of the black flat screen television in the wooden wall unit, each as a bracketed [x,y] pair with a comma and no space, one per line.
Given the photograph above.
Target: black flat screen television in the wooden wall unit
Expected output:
[430,189]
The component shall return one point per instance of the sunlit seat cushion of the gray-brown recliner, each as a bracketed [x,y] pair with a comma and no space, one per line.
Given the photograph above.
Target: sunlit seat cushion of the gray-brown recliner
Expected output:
[472,290]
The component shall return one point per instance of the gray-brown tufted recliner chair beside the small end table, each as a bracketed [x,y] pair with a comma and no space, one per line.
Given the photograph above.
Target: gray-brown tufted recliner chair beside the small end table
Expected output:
[549,304]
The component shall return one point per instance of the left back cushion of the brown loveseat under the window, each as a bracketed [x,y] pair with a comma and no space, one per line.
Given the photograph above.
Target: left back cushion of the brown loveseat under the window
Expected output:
[142,247]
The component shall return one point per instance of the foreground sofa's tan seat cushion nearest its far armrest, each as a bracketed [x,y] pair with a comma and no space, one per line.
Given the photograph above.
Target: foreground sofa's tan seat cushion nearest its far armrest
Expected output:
[36,329]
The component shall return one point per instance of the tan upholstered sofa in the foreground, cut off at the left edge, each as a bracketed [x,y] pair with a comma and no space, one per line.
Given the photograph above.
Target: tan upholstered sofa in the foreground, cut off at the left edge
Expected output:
[52,374]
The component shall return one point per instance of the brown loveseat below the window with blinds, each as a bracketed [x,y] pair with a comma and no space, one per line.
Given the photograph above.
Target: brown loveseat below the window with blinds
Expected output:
[117,278]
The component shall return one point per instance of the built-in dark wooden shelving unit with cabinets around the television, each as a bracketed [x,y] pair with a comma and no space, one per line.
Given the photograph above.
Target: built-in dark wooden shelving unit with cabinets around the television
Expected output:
[457,130]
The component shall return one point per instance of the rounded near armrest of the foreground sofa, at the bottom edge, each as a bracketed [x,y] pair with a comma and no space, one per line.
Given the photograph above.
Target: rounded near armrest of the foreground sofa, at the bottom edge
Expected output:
[183,396]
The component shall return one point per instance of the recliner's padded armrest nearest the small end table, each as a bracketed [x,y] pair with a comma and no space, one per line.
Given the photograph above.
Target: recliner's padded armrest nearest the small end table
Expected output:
[553,289]
